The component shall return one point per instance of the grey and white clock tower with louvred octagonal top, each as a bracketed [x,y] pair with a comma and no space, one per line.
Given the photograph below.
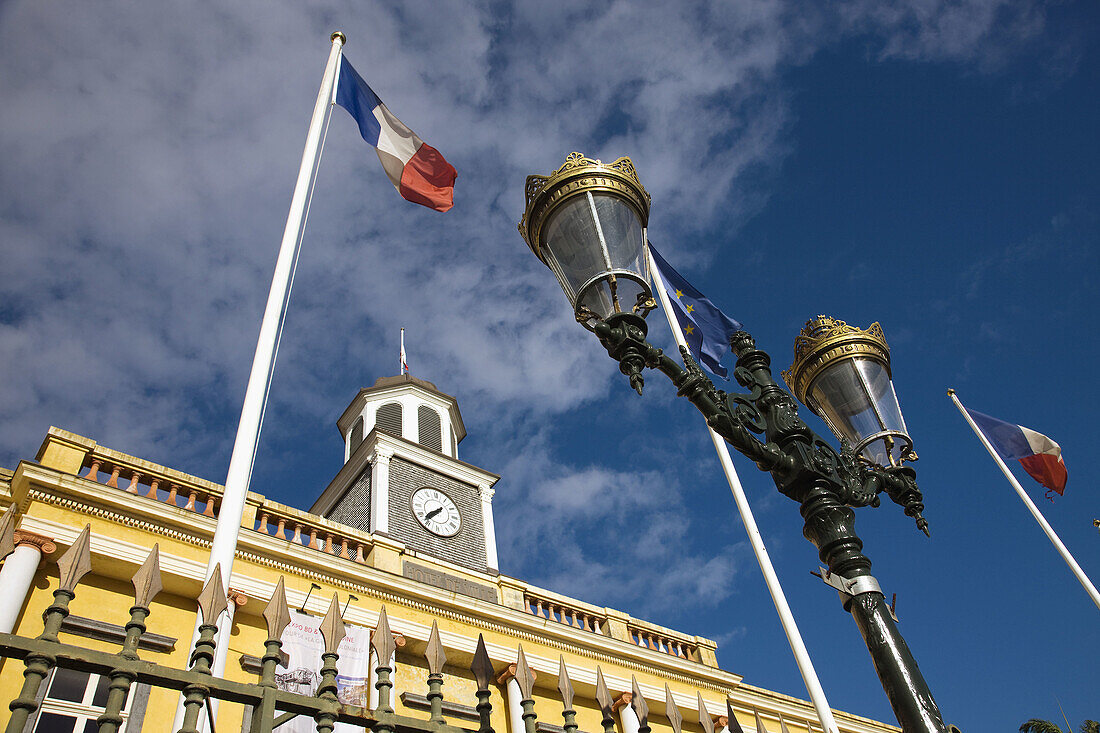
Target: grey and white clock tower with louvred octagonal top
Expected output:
[403,479]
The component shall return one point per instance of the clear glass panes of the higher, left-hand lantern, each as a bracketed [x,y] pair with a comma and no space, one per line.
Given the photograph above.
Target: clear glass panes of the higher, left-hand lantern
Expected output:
[593,244]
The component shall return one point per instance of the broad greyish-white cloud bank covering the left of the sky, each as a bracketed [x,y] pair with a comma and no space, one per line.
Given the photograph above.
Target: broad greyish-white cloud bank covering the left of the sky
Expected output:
[149,154]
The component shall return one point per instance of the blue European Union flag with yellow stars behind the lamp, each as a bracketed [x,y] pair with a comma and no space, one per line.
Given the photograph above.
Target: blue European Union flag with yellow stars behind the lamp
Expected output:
[707,330]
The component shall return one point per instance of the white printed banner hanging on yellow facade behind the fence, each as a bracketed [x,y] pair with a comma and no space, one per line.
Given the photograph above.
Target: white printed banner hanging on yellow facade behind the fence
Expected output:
[304,644]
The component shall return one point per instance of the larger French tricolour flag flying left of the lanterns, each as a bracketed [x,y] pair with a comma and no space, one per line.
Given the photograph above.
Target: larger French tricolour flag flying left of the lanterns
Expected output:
[417,171]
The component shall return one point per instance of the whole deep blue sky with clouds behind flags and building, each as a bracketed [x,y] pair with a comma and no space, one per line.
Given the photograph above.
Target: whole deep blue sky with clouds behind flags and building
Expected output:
[931,166]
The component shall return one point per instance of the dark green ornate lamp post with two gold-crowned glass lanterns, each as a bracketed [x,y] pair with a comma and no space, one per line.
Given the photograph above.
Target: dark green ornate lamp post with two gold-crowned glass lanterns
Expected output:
[587,222]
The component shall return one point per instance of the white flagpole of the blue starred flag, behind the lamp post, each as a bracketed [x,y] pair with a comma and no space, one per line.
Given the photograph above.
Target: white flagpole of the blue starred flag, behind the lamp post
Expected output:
[786,618]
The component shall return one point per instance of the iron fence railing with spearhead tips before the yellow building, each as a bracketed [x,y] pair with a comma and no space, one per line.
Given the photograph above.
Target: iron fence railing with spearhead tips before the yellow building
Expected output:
[269,707]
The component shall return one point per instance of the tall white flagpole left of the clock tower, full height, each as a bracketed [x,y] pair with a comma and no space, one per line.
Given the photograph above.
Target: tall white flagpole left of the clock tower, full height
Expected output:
[227,531]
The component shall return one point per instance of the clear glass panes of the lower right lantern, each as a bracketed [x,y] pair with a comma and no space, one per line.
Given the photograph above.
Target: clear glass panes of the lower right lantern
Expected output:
[857,399]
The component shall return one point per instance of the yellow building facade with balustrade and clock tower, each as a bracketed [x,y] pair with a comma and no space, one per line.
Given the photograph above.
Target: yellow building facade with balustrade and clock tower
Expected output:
[405,526]
